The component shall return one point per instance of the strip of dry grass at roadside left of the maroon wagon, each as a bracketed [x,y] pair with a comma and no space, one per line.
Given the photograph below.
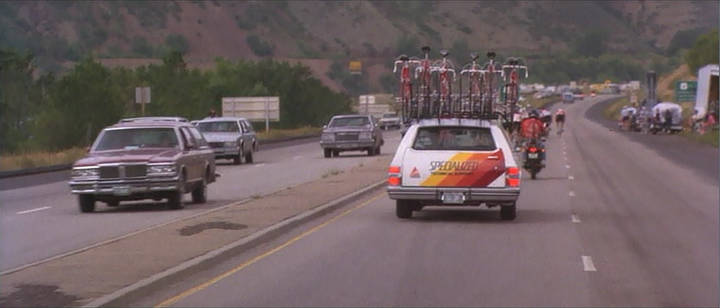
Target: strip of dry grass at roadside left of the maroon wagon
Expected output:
[25,160]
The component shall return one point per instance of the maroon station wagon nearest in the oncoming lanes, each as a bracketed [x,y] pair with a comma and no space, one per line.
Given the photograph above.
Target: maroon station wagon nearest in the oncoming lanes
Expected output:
[144,160]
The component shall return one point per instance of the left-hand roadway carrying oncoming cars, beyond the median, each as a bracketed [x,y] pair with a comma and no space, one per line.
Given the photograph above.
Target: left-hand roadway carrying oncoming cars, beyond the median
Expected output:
[40,218]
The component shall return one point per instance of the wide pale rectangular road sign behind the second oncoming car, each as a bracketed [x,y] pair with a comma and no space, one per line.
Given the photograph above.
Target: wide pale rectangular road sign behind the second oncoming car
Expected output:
[253,108]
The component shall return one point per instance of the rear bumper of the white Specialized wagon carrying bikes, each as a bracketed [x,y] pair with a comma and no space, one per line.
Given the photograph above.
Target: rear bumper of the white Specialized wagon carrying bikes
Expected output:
[472,195]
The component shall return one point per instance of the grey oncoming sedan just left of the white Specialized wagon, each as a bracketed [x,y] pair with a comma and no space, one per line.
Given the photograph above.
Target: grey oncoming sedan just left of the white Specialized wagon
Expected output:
[351,133]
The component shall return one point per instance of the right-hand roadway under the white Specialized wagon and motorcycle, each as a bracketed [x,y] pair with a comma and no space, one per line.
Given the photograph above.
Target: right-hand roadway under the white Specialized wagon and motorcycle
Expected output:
[609,222]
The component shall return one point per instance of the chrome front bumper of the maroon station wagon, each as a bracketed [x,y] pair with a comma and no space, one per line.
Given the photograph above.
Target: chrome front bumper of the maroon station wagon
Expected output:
[124,188]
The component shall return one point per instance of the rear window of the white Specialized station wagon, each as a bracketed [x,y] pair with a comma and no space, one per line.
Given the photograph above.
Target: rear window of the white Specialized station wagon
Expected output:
[454,138]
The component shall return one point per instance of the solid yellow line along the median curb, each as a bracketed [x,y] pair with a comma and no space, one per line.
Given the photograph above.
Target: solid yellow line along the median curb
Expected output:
[176,298]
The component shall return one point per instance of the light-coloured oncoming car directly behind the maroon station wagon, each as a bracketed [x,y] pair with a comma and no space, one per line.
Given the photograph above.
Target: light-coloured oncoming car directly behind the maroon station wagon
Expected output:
[230,138]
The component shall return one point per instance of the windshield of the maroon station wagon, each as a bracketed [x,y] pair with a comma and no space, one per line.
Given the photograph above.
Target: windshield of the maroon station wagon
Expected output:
[134,138]
